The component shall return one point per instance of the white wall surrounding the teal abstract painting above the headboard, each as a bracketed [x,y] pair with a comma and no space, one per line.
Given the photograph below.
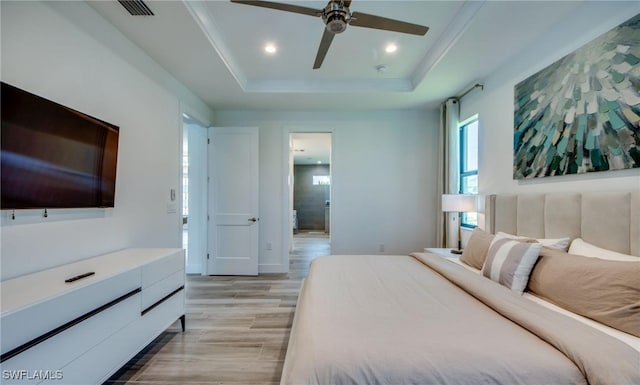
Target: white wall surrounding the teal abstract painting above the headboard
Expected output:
[495,105]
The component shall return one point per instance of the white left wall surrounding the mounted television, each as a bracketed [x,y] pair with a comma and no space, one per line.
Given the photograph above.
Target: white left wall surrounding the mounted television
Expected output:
[48,50]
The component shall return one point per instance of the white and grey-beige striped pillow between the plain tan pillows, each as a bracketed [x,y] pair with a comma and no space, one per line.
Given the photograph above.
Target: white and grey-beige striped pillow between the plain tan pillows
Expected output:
[509,262]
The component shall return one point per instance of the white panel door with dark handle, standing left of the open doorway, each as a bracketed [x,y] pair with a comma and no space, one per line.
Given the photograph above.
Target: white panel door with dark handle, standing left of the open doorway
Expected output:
[233,198]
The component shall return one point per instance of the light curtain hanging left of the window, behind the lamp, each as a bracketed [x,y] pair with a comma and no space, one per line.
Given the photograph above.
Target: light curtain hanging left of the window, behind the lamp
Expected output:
[448,171]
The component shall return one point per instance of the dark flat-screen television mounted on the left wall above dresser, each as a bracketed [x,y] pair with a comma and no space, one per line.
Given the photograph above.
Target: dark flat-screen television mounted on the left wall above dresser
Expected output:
[52,156]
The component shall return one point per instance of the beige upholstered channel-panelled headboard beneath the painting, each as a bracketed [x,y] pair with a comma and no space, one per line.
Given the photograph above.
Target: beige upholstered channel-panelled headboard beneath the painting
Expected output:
[608,220]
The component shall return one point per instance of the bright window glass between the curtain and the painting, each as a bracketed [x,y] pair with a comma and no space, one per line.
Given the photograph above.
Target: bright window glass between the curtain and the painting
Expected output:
[469,165]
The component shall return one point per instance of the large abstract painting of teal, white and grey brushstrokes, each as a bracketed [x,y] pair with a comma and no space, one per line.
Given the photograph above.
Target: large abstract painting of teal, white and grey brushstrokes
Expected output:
[582,113]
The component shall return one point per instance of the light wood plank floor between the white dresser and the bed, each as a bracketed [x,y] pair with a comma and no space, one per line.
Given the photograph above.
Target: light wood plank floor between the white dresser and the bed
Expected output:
[237,328]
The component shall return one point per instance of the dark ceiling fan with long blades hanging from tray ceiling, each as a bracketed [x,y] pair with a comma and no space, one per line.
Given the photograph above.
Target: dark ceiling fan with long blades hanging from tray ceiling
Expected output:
[336,16]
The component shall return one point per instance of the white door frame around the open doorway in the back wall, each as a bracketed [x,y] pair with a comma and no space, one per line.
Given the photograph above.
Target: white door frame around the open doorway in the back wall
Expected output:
[287,186]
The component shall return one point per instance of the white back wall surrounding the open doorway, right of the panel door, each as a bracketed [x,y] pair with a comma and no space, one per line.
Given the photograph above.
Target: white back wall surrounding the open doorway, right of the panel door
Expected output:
[383,178]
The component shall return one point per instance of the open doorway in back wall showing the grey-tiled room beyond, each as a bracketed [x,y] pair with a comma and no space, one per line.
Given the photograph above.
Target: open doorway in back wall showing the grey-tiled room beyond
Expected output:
[311,193]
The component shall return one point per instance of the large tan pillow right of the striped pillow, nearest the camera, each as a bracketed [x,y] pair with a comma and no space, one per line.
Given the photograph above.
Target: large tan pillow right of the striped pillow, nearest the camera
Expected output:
[606,291]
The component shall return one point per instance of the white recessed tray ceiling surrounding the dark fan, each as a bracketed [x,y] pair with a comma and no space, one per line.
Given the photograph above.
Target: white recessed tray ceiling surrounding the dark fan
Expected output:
[215,48]
